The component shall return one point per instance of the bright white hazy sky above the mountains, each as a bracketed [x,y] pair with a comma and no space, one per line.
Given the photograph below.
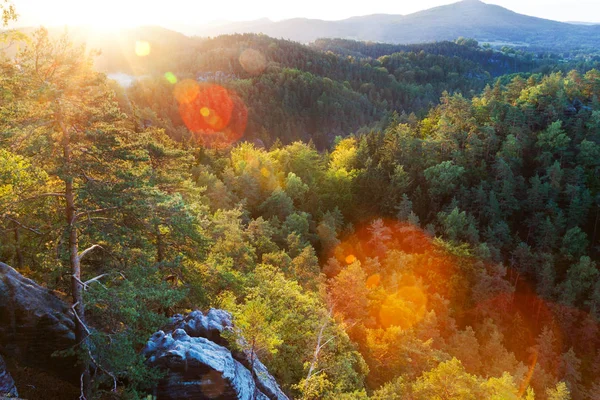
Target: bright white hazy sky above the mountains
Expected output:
[187,12]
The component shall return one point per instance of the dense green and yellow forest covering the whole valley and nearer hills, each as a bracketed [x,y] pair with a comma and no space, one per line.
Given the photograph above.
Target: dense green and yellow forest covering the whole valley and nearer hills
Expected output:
[384,222]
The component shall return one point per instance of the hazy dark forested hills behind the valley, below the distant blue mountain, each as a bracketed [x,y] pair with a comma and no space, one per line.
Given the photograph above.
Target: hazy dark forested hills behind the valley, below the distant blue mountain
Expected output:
[332,88]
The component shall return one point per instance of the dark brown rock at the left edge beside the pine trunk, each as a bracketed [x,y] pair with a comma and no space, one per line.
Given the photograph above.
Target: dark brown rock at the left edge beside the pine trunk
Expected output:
[34,323]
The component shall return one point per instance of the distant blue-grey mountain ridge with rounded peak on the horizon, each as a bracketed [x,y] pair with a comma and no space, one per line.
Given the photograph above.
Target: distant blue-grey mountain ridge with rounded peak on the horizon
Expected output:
[468,18]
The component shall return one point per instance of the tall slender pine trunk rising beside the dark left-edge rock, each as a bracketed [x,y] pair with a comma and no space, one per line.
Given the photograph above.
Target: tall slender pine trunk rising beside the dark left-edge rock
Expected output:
[75,264]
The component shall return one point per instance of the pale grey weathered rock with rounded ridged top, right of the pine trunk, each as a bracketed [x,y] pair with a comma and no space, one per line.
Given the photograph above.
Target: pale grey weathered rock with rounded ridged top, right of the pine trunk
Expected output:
[200,366]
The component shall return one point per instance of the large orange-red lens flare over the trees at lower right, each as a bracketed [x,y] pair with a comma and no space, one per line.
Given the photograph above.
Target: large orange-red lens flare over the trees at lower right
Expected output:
[408,279]
